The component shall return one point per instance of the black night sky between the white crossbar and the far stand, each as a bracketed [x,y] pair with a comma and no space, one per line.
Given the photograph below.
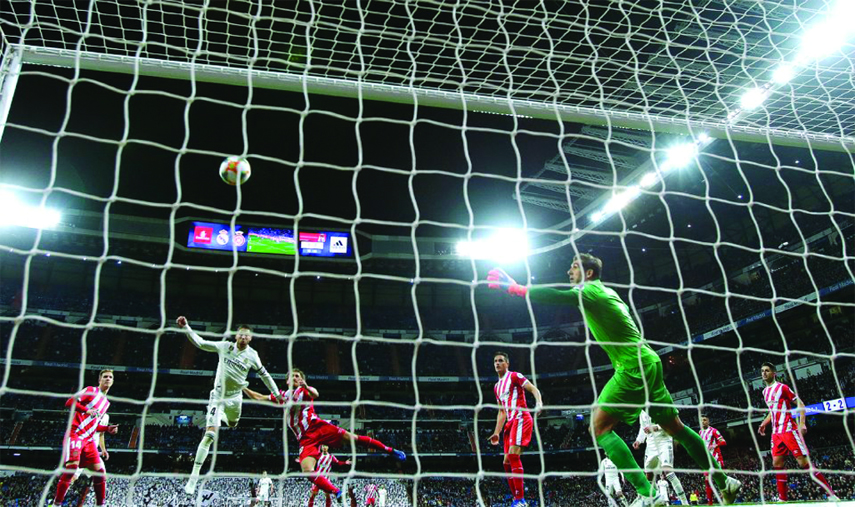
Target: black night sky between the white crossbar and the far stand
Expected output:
[156,112]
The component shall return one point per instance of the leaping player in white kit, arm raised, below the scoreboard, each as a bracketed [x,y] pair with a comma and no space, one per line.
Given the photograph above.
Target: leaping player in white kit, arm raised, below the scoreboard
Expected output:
[236,359]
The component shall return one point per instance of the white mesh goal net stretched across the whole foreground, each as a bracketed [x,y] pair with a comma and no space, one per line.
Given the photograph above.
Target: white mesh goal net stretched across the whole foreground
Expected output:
[400,150]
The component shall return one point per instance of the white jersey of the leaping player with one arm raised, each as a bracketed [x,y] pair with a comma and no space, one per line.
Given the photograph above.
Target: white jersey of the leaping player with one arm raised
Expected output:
[233,367]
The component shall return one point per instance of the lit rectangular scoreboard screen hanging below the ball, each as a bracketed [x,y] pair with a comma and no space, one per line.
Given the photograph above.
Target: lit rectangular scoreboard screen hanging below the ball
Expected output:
[268,240]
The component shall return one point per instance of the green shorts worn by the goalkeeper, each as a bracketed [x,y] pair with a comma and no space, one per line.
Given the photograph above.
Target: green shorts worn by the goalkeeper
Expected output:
[626,389]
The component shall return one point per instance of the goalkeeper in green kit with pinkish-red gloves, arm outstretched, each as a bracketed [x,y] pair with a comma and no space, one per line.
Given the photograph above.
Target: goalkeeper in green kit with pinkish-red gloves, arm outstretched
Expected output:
[637,381]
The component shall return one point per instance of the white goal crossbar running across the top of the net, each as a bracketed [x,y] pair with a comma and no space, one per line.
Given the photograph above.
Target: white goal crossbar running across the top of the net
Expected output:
[459,100]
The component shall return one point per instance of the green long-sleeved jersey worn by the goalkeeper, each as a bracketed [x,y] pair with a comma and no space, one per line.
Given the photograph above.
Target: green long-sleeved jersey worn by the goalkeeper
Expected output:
[607,316]
